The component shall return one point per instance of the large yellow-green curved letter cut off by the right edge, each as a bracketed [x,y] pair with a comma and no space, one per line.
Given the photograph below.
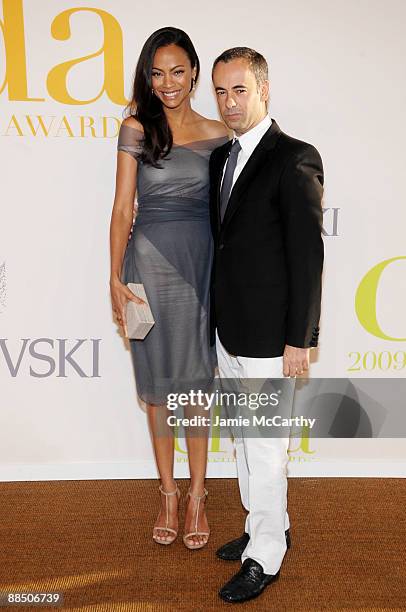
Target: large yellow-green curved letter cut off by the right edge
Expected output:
[365,300]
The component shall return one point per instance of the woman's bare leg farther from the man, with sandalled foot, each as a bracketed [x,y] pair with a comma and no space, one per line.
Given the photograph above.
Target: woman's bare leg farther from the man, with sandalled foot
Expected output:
[163,445]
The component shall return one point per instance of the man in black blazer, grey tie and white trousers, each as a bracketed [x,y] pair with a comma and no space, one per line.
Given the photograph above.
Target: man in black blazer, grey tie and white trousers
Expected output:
[266,217]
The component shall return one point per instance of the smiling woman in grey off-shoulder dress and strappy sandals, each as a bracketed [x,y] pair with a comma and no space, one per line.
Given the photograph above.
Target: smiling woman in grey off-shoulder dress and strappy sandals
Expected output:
[163,158]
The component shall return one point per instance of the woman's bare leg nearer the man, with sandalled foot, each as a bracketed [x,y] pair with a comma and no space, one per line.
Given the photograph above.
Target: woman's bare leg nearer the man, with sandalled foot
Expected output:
[197,445]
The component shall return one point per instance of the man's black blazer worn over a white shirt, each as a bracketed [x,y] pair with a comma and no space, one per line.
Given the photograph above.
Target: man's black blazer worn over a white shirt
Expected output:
[266,278]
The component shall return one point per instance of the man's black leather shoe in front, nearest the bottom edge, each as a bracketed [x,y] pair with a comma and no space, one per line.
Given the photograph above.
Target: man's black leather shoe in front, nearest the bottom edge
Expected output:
[246,584]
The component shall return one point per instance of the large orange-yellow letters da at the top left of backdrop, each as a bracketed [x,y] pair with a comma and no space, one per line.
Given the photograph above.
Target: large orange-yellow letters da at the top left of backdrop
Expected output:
[12,27]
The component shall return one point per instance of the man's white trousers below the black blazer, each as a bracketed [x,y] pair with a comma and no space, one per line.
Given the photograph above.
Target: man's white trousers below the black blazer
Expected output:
[261,468]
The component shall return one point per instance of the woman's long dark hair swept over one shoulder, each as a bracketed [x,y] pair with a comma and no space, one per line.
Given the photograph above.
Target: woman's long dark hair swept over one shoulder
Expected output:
[144,105]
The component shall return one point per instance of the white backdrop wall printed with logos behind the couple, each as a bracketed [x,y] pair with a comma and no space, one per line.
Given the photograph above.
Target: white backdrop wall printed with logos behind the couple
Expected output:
[336,71]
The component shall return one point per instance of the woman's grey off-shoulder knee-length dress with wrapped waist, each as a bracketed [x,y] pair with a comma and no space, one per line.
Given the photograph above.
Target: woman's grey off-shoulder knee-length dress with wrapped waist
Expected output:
[170,251]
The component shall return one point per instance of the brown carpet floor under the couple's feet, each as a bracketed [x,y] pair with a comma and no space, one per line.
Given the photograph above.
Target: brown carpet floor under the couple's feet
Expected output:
[91,540]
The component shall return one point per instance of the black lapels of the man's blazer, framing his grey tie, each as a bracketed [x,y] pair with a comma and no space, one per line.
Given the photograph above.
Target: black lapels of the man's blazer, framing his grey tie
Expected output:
[267,142]
